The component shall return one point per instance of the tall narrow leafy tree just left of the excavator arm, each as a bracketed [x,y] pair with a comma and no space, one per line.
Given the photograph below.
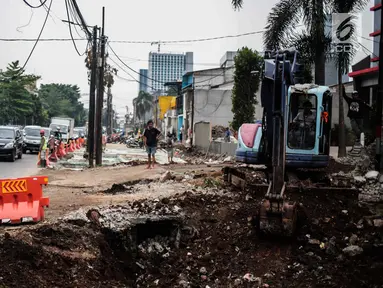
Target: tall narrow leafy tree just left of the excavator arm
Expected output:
[248,66]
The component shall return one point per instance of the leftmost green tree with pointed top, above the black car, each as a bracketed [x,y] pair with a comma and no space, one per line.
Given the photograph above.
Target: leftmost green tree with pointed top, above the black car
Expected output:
[16,94]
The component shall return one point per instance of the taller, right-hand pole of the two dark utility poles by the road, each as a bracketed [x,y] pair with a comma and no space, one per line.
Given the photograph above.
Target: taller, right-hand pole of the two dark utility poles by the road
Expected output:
[100,93]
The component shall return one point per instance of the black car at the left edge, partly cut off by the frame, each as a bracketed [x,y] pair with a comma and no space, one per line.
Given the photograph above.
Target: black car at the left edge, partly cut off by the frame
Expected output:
[11,143]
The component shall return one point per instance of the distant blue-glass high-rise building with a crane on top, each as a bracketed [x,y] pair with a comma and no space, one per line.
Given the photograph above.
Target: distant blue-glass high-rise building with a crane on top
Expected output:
[167,67]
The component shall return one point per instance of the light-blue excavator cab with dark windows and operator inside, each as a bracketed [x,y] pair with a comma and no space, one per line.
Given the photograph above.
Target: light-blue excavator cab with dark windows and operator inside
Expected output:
[308,127]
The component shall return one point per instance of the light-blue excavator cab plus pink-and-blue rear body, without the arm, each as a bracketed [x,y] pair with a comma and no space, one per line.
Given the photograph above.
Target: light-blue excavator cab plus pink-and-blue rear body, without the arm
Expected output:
[308,130]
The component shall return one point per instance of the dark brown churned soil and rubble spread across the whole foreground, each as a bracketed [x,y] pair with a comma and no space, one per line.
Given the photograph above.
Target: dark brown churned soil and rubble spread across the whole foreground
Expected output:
[197,240]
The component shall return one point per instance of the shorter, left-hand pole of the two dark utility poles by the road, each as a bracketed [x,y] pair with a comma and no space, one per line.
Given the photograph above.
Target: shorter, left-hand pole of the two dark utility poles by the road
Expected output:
[92,98]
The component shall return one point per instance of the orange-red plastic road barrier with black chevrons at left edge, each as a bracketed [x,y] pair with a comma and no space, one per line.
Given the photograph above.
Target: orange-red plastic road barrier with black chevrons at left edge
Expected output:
[21,200]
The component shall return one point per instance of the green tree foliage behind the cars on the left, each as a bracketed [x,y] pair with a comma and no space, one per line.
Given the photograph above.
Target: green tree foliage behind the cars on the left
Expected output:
[23,104]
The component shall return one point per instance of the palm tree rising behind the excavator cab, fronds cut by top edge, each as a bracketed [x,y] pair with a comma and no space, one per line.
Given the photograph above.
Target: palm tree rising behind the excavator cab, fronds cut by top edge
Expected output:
[287,14]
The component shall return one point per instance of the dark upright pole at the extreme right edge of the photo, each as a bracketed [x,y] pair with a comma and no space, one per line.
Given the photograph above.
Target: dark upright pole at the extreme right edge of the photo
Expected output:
[379,99]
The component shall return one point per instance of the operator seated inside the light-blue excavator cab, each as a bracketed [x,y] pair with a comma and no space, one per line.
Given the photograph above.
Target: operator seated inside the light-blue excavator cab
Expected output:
[304,127]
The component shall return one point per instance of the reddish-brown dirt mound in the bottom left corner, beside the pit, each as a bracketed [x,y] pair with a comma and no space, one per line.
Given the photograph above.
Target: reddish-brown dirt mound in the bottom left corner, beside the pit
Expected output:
[60,256]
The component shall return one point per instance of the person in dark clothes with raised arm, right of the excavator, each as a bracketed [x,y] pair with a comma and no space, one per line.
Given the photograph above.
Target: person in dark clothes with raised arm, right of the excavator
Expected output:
[356,111]
